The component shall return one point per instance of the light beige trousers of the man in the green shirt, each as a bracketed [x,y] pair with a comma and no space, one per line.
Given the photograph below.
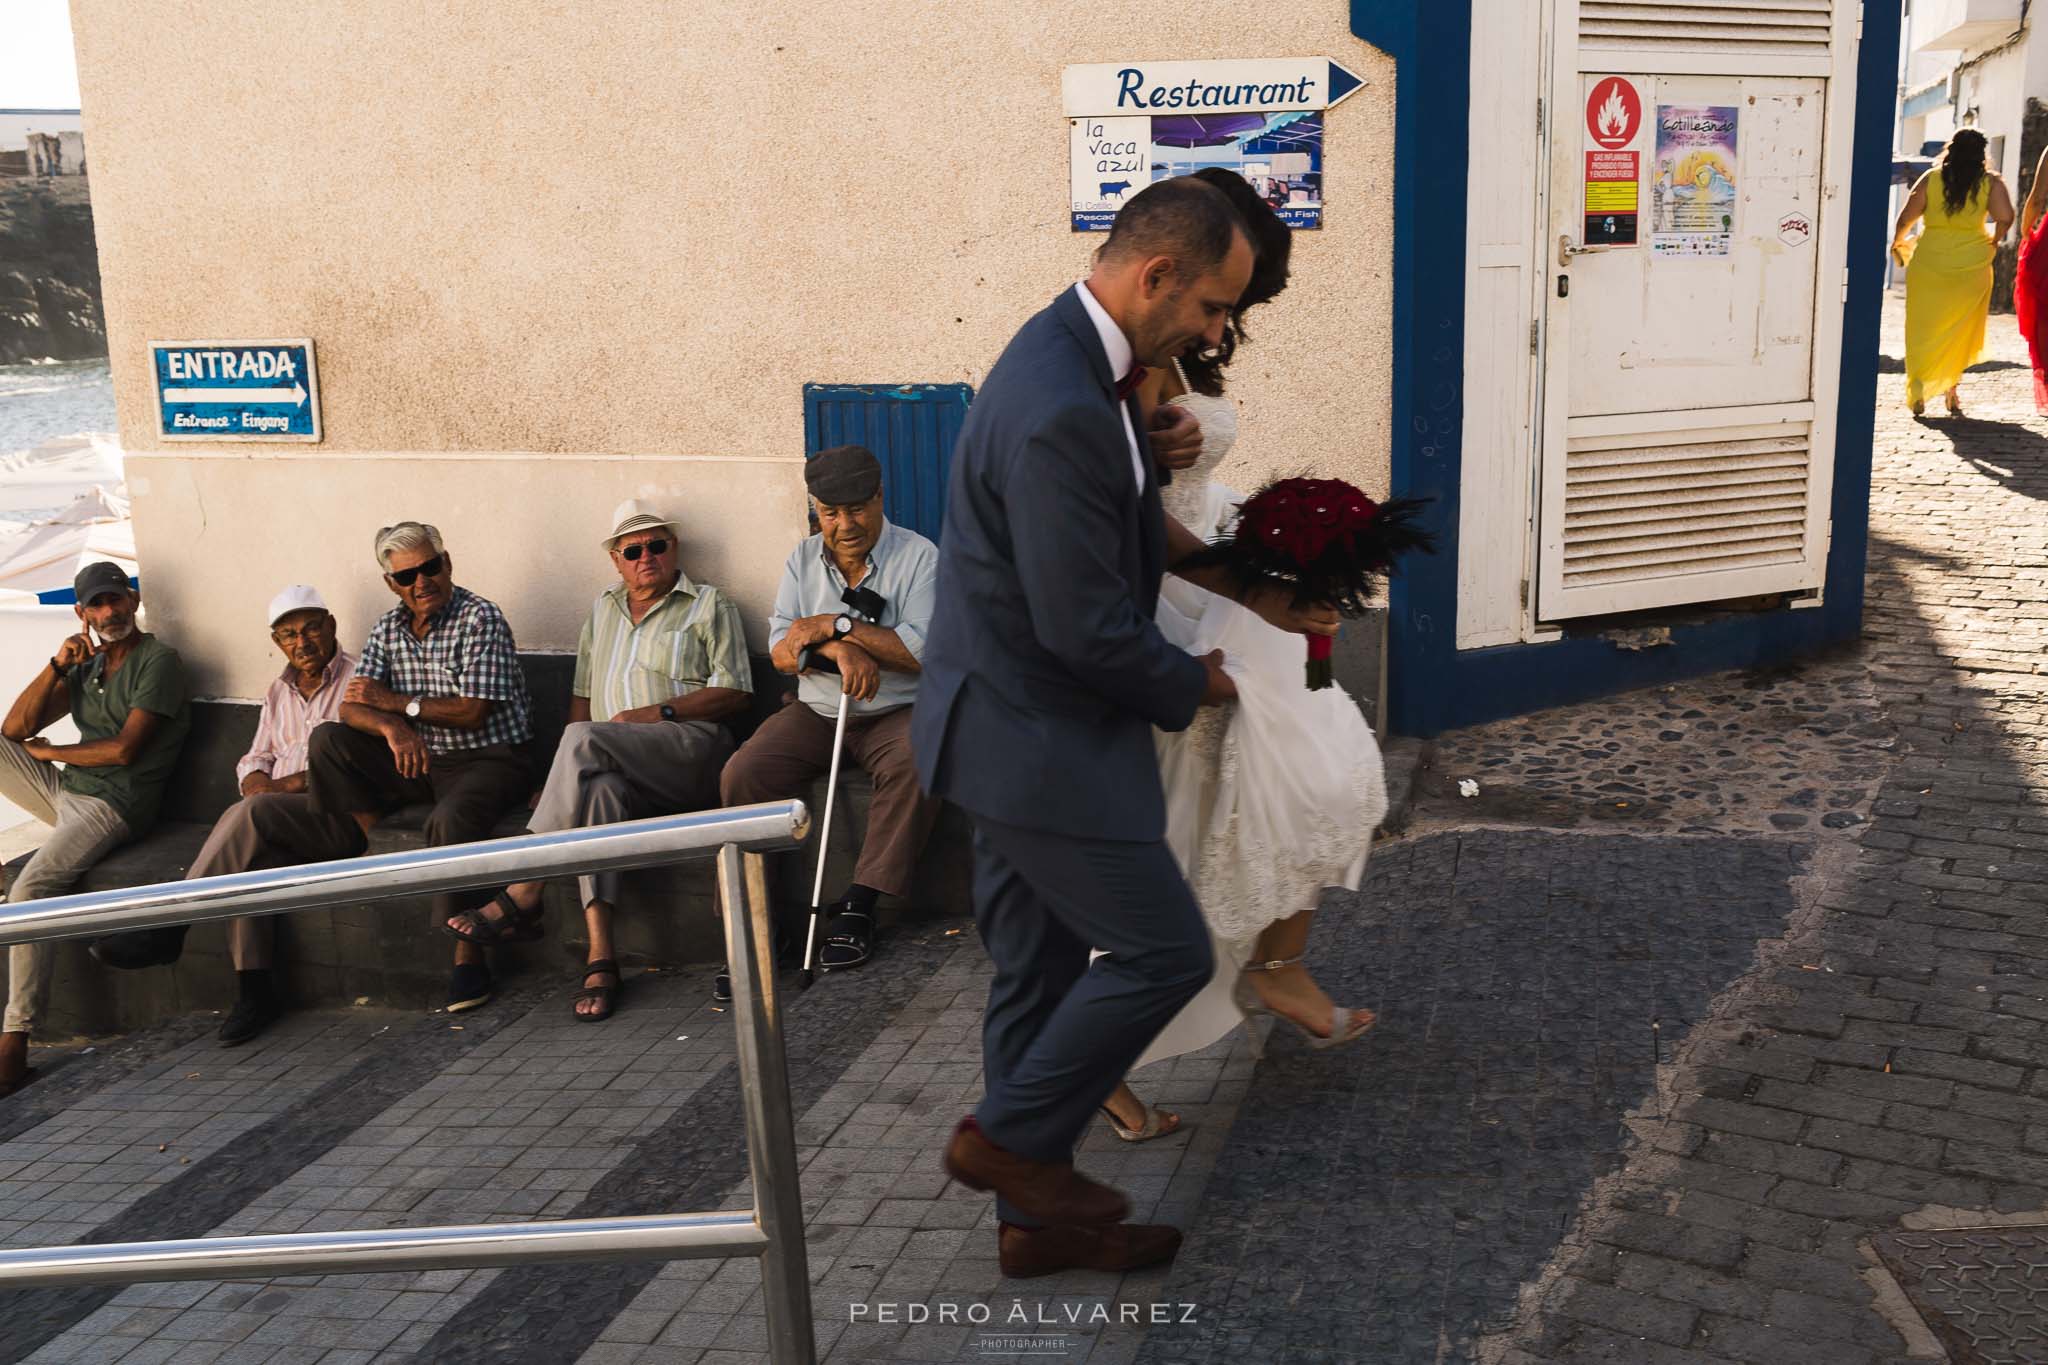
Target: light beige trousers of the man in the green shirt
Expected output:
[83,830]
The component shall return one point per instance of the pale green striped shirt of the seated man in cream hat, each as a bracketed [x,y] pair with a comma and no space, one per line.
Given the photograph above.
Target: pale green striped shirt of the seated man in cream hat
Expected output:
[689,642]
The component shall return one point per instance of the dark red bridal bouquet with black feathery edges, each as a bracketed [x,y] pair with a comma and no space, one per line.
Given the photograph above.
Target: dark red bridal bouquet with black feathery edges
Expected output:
[1324,541]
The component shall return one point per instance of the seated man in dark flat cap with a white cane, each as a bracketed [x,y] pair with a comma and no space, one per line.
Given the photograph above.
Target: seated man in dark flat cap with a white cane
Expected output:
[859,595]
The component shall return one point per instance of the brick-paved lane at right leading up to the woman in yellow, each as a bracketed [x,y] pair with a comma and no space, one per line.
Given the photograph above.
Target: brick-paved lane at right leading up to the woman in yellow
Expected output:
[1887,1071]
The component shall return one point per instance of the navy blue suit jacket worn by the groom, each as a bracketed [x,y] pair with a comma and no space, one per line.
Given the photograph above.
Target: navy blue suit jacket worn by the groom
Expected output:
[1043,672]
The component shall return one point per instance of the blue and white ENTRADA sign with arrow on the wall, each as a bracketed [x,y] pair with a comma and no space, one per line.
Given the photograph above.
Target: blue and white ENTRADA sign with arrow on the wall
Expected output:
[237,390]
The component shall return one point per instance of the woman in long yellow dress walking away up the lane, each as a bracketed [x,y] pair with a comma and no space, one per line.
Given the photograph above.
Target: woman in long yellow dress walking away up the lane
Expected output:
[1949,267]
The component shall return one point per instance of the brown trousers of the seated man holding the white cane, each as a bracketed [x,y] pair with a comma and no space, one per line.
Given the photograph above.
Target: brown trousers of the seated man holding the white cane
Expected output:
[794,748]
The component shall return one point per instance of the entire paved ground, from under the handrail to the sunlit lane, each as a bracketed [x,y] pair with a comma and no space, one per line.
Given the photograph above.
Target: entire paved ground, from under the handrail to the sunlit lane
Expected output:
[1715,1010]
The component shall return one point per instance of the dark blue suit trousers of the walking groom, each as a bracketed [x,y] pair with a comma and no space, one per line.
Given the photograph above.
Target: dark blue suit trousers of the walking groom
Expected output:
[1064,1032]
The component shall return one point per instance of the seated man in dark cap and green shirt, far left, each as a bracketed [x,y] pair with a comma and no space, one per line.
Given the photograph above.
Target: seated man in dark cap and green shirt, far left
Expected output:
[128,695]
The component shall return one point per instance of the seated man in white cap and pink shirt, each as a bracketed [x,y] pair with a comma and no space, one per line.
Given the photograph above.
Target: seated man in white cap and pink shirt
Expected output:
[275,822]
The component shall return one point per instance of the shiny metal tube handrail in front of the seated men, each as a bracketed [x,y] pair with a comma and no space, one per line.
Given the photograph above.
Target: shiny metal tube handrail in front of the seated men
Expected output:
[773,1231]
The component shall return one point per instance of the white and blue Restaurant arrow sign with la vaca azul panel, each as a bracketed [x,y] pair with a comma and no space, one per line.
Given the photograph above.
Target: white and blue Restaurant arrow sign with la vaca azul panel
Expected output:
[1134,124]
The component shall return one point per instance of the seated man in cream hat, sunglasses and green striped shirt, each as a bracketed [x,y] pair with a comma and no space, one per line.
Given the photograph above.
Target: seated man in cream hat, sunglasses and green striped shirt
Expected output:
[660,664]
